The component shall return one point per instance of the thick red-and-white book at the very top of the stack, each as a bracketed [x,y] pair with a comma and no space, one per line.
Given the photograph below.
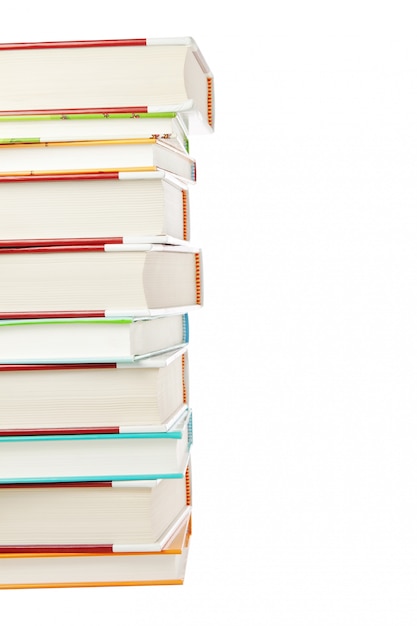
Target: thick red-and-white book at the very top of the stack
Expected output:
[144,75]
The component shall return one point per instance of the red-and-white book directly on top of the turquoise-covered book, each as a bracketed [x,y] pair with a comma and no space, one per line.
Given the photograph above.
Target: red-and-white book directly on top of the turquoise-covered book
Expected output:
[86,398]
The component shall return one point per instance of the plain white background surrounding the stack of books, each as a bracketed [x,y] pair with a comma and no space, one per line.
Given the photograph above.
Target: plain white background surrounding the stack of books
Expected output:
[303,360]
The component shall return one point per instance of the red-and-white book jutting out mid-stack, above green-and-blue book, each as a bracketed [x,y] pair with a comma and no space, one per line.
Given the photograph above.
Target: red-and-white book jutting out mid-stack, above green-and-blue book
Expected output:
[110,280]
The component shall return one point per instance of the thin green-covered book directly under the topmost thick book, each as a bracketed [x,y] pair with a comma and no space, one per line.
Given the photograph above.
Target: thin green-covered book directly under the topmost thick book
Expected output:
[78,126]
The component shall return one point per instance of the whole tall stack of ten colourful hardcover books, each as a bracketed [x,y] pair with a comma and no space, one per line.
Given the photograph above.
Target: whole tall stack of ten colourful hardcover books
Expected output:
[97,279]
